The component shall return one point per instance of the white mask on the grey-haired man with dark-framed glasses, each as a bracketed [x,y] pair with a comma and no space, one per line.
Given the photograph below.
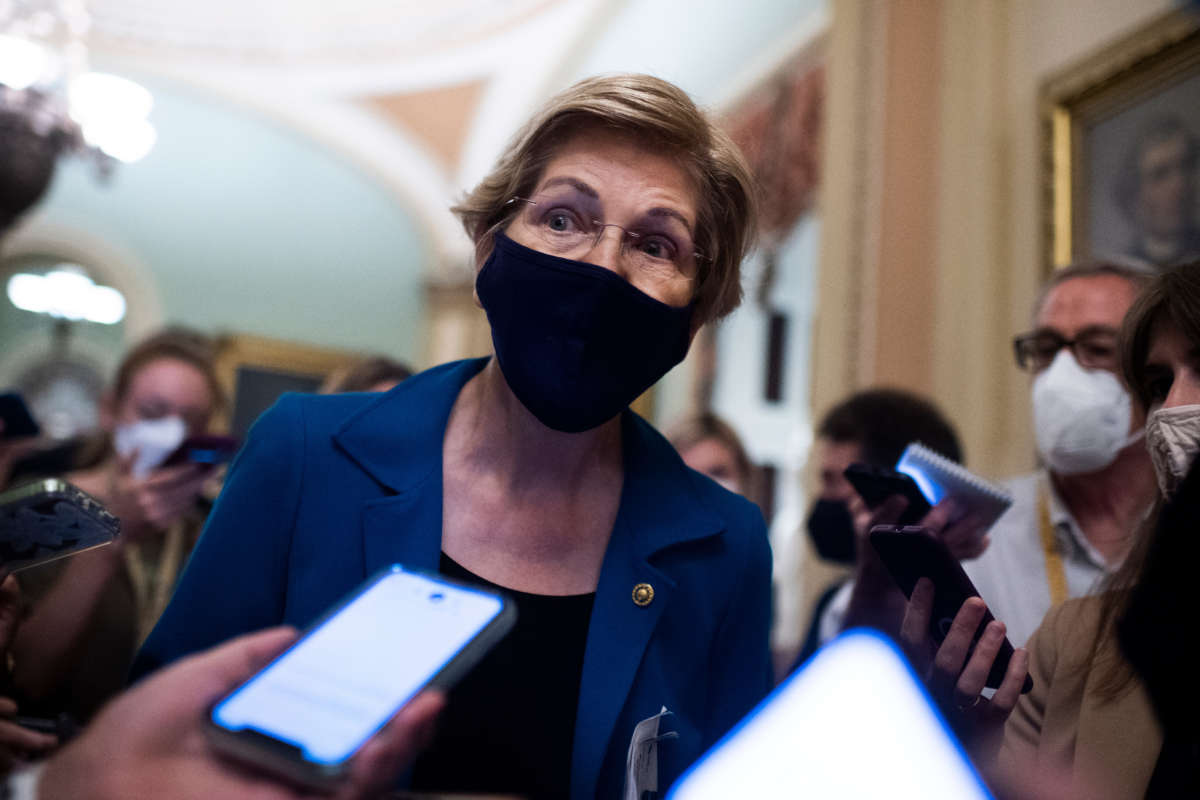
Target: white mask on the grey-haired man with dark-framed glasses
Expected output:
[1081,417]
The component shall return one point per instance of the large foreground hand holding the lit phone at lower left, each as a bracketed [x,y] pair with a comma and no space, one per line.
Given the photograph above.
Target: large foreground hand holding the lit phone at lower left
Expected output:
[149,743]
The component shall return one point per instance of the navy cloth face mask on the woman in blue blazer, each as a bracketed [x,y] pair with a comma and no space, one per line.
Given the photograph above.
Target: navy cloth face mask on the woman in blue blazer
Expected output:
[577,342]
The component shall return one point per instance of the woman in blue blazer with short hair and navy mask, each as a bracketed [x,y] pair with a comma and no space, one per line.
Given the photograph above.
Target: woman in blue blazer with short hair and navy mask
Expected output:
[611,230]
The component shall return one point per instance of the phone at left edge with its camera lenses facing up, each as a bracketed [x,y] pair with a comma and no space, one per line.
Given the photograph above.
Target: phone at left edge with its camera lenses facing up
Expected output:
[51,520]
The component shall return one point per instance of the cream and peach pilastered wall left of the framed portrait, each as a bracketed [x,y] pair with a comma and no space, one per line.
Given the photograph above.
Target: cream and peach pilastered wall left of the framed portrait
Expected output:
[933,204]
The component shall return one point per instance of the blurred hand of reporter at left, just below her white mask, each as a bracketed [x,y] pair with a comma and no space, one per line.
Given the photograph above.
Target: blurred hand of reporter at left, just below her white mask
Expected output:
[154,502]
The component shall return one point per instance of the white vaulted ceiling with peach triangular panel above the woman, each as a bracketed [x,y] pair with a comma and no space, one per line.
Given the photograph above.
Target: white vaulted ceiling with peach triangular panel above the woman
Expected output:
[424,95]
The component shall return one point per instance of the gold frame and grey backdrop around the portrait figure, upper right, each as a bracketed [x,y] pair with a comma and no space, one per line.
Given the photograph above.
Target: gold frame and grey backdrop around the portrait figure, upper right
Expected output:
[1096,117]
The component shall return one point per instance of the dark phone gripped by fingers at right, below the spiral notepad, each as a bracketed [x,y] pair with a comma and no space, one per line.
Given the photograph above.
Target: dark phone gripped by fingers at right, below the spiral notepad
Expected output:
[911,554]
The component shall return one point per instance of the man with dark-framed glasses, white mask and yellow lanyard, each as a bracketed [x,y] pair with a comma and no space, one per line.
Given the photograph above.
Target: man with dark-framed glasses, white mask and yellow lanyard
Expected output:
[1072,522]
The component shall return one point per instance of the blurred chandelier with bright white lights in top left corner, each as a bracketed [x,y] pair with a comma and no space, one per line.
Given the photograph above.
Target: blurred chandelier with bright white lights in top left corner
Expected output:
[51,105]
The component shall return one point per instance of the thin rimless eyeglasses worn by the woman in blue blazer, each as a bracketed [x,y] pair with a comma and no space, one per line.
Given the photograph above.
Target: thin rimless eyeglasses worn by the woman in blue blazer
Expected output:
[663,249]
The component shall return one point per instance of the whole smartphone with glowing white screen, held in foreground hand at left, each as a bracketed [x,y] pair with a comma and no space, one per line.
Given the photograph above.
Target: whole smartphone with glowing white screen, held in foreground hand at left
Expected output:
[309,712]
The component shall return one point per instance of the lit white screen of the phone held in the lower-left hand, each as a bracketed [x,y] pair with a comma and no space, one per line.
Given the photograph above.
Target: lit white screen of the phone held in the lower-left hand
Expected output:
[344,681]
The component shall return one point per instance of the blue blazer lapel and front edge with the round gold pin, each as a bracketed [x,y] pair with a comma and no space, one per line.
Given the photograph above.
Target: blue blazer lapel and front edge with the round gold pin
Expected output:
[657,512]
